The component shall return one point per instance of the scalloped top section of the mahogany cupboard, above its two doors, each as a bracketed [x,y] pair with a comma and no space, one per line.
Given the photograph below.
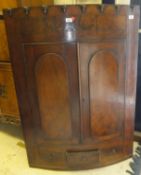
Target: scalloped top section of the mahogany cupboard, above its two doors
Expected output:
[72,22]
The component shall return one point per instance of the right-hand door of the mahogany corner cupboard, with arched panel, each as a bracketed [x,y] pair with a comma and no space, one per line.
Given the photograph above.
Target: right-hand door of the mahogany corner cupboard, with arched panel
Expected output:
[102,81]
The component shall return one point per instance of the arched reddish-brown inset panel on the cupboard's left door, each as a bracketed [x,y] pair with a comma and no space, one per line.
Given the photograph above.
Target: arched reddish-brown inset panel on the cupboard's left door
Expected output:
[53,96]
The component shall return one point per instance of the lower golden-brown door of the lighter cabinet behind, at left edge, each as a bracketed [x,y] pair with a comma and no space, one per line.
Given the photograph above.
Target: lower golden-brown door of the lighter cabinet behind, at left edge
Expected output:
[8,99]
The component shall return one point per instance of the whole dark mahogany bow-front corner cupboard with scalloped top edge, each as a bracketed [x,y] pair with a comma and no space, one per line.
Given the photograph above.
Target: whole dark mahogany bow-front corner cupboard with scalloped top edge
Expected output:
[75,76]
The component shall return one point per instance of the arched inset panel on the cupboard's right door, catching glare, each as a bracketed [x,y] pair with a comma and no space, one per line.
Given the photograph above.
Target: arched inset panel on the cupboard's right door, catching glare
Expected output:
[104,95]
